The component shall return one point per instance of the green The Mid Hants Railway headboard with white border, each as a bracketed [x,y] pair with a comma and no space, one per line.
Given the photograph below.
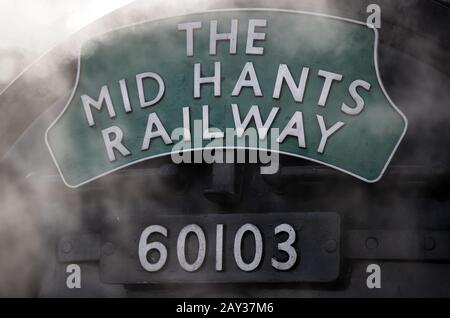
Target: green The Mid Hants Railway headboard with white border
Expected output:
[308,83]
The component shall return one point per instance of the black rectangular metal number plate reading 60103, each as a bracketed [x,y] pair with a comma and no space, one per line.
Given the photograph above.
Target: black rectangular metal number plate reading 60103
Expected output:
[317,244]
